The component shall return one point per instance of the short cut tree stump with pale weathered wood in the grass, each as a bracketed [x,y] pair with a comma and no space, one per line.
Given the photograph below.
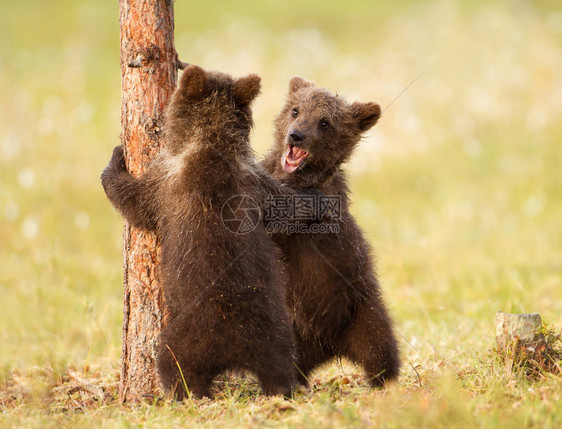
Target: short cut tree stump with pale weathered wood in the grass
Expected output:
[517,336]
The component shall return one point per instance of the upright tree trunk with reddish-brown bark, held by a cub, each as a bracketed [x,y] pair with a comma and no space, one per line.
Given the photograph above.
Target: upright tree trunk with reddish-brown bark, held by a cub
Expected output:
[148,78]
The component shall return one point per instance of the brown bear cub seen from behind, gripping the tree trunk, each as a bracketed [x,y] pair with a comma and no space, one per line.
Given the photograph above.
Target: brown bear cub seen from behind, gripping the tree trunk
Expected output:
[224,290]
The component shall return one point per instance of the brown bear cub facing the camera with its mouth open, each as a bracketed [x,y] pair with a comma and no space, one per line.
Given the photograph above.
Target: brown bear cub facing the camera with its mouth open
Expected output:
[333,292]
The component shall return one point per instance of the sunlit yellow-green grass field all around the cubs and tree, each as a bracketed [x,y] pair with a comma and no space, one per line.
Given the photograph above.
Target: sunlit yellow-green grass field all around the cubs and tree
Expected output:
[459,189]
